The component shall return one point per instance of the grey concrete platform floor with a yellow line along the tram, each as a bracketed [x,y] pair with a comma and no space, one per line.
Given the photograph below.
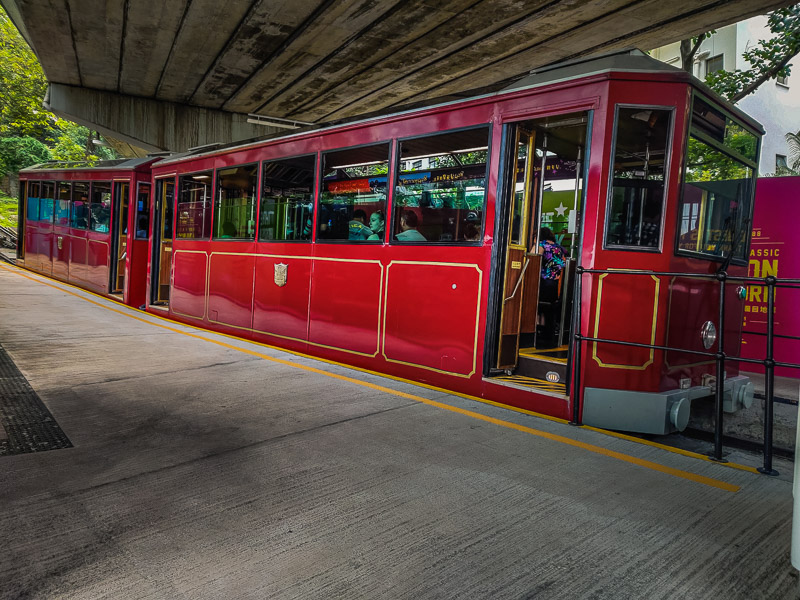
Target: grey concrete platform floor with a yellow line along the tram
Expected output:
[202,471]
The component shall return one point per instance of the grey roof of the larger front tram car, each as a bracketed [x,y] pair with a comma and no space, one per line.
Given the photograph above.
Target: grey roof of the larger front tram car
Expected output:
[631,60]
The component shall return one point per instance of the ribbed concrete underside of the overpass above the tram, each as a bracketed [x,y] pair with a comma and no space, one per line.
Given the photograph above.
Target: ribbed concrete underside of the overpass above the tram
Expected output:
[323,60]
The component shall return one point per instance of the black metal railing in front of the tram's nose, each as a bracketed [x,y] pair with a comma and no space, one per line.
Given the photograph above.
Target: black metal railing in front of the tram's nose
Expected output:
[720,357]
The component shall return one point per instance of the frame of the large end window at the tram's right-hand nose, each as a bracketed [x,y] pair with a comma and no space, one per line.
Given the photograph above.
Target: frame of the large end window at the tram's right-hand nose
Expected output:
[706,139]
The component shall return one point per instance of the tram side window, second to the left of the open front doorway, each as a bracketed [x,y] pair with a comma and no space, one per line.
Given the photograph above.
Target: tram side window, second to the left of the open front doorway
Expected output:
[354,188]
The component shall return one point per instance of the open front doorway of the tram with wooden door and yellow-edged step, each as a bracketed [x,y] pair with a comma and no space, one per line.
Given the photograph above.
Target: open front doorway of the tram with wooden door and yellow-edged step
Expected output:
[544,187]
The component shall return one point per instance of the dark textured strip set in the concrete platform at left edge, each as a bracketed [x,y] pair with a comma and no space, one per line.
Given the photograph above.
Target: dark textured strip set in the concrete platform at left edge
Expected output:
[28,424]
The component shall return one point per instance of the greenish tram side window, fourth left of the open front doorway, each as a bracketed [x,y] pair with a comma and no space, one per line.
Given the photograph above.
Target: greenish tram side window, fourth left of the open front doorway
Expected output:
[235,210]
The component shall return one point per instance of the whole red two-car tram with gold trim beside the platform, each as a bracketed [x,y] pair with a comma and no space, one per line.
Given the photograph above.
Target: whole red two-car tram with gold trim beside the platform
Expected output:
[442,244]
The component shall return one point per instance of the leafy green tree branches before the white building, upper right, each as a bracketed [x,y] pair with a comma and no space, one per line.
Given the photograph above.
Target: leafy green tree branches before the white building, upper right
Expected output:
[768,59]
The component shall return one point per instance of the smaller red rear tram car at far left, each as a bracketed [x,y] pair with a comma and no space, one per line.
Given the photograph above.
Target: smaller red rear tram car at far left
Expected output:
[79,226]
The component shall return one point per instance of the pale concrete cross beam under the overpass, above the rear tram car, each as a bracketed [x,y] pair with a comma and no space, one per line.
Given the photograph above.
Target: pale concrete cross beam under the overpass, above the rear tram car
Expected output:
[150,124]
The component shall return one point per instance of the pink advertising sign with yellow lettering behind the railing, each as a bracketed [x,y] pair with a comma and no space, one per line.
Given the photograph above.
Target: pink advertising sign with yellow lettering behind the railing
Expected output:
[774,250]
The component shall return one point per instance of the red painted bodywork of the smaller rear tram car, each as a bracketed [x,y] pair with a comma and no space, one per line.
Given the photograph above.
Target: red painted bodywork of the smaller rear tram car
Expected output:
[82,256]
